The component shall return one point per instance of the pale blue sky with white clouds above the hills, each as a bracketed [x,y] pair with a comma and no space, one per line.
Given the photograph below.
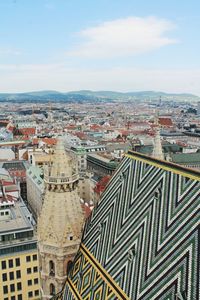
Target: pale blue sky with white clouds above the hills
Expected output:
[119,45]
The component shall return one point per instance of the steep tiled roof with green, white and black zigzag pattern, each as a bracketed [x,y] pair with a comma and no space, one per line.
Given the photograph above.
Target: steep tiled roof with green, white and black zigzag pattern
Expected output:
[141,241]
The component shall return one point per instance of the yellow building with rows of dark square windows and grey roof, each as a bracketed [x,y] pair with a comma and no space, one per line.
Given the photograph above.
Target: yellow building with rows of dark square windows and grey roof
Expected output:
[19,273]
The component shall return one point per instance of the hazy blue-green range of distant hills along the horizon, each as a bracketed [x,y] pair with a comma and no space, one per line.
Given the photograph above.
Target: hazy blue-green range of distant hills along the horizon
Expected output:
[90,96]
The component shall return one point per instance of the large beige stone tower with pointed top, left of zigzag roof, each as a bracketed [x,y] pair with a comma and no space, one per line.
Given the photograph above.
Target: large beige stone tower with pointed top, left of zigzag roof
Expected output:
[60,222]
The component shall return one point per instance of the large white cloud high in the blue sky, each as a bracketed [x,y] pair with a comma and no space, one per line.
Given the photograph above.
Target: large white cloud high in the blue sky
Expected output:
[124,37]
